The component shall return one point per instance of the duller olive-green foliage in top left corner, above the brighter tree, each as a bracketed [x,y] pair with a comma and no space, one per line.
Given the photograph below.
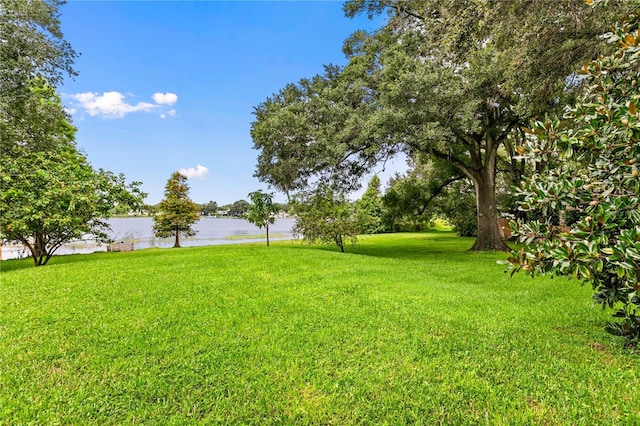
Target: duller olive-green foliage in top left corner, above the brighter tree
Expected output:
[34,57]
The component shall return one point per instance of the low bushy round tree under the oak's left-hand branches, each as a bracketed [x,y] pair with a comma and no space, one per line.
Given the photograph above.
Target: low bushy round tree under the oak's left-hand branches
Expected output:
[325,217]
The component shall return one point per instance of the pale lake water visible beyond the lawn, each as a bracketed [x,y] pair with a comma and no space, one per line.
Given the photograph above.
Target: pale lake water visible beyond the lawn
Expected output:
[139,231]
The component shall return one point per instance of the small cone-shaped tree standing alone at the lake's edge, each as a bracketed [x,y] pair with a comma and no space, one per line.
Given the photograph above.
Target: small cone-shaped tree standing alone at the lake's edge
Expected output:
[176,212]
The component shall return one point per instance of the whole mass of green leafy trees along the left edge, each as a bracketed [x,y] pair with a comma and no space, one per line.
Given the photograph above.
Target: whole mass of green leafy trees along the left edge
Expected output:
[49,193]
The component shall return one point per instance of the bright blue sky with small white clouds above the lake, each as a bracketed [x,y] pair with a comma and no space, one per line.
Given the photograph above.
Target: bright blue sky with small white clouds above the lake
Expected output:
[166,86]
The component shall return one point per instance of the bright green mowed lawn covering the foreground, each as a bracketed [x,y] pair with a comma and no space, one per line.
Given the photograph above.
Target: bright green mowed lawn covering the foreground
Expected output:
[404,328]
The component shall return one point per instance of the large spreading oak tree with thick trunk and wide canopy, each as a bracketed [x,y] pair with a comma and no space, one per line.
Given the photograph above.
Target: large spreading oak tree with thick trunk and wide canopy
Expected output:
[453,79]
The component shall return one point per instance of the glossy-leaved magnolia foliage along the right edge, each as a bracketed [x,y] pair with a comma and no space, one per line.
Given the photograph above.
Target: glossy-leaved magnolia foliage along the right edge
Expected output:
[597,181]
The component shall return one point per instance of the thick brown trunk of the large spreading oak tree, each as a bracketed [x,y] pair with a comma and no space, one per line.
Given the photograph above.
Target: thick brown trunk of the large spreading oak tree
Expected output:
[489,237]
